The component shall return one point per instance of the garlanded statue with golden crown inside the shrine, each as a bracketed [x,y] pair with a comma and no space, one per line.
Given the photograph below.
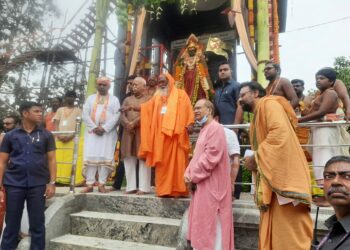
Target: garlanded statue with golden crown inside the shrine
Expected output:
[191,71]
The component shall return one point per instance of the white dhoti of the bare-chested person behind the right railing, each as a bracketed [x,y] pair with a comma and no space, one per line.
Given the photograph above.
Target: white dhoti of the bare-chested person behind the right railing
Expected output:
[327,136]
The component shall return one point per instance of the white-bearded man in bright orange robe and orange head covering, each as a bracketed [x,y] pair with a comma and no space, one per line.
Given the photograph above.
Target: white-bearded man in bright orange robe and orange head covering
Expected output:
[164,140]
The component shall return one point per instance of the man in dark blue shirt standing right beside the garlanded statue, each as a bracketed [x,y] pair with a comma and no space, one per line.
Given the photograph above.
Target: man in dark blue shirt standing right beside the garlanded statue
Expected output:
[226,95]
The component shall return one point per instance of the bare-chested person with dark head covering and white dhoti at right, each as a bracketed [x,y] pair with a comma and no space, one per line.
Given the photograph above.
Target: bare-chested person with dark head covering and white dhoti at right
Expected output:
[325,105]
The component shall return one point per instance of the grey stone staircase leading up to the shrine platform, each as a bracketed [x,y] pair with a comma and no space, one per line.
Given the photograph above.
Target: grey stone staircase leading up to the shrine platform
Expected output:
[123,222]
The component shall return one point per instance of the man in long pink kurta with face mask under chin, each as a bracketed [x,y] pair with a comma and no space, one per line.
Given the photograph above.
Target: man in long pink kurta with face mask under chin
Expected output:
[208,174]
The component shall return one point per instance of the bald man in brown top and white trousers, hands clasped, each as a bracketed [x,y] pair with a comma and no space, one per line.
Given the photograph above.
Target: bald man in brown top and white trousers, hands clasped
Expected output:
[130,120]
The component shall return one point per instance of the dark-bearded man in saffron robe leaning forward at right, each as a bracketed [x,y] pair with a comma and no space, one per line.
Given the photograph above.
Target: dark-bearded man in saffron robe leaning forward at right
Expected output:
[283,185]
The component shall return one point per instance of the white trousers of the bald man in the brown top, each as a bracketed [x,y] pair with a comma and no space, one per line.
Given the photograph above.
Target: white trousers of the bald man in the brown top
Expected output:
[130,173]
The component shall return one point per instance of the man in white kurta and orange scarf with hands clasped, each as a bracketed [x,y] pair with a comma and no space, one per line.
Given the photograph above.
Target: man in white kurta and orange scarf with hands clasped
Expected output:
[100,114]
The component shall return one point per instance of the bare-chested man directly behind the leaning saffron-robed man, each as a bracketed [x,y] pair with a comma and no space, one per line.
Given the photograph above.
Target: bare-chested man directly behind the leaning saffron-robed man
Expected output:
[278,85]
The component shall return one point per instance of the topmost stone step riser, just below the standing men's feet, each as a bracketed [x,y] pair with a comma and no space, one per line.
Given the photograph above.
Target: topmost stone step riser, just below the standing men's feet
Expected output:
[144,205]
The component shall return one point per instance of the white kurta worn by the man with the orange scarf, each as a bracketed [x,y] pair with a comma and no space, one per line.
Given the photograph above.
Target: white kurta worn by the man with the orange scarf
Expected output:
[100,148]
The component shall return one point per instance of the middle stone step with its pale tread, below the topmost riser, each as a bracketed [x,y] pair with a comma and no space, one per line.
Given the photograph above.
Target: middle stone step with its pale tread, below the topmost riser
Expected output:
[135,228]
